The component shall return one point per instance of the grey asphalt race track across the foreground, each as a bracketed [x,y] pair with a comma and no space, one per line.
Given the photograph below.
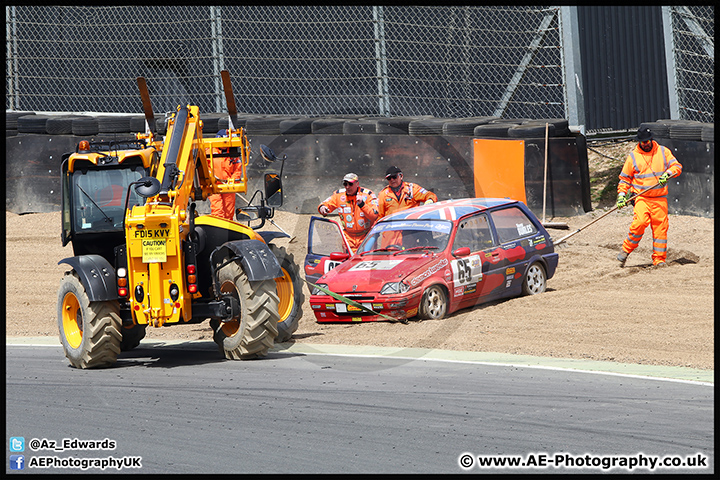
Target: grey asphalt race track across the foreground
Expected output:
[180,408]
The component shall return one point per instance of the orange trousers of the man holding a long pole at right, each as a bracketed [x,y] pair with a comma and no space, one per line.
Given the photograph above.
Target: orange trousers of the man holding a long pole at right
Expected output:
[653,212]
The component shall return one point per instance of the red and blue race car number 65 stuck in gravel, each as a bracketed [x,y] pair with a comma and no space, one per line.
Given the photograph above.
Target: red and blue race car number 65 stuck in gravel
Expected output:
[430,261]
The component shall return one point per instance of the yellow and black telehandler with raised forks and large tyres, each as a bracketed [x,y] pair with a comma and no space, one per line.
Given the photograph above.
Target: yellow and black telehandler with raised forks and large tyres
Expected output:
[143,256]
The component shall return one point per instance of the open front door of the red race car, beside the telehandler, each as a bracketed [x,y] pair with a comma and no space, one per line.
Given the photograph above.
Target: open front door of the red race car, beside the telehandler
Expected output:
[324,238]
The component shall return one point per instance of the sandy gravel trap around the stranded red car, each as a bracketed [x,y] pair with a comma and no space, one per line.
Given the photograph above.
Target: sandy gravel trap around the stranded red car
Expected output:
[593,309]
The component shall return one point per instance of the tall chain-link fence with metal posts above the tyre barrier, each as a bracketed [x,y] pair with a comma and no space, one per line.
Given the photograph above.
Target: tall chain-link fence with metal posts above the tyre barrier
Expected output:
[447,62]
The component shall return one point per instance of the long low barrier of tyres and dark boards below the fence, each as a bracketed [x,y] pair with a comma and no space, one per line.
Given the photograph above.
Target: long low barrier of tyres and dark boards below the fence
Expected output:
[455,158]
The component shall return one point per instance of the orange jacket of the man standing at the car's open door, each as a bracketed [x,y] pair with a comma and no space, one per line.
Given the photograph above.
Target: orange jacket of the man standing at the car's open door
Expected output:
[356,221]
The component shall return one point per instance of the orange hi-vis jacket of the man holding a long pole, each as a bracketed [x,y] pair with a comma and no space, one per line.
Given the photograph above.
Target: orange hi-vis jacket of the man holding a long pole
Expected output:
[643,169]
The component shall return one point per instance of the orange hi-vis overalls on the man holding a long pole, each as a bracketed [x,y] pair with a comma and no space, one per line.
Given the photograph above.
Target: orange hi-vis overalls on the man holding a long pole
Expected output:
[641,171]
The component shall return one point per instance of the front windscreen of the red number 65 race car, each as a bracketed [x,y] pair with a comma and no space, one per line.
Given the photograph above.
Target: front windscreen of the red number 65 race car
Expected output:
[407,234]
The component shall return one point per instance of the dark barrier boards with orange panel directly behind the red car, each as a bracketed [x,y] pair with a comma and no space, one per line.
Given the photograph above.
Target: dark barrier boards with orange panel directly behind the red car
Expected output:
[450,166]
